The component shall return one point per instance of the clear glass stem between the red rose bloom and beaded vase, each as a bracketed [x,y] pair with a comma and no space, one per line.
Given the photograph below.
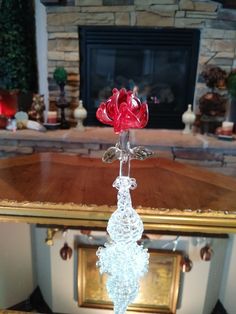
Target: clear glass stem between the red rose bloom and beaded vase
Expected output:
[125,156]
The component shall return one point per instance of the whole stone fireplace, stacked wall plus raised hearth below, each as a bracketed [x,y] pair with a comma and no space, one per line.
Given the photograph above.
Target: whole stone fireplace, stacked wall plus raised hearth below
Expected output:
[57,45]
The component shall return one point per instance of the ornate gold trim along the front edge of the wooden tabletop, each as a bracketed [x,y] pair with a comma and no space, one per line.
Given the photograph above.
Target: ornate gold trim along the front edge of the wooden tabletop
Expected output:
[70,214]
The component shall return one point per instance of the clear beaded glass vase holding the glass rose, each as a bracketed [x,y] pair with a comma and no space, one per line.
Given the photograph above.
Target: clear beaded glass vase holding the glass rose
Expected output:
[122,258]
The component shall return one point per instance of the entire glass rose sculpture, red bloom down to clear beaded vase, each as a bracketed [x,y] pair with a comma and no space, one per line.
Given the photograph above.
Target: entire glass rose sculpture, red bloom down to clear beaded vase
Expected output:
[122,258]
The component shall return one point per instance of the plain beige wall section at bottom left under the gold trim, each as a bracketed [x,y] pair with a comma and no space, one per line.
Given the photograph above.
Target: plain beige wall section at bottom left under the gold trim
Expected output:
[16,265]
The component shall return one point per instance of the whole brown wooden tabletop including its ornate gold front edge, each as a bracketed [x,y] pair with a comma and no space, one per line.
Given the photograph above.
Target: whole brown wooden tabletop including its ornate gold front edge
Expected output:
[63,189]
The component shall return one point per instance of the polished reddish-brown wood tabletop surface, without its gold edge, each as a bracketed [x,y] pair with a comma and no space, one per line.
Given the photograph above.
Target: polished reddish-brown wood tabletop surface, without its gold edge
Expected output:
[162,183]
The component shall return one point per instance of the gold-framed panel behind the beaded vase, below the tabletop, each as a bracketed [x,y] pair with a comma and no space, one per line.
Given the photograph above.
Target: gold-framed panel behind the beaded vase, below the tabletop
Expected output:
[159,288]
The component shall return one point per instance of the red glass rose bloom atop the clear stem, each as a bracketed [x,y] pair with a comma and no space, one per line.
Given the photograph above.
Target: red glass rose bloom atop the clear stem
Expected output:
[123,110]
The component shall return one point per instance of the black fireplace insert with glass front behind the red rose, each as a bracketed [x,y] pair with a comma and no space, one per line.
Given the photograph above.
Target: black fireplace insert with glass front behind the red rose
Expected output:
[159,65]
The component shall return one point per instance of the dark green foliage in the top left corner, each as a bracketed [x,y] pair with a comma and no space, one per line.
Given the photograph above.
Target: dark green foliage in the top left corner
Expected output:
[17,46]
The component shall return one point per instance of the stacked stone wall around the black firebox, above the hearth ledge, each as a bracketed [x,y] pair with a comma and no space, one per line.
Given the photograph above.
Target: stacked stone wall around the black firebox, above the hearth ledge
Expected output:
[217,26]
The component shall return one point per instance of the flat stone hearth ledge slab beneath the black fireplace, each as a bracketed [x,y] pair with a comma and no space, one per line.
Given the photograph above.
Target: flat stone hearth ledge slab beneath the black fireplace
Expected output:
[157,139]
